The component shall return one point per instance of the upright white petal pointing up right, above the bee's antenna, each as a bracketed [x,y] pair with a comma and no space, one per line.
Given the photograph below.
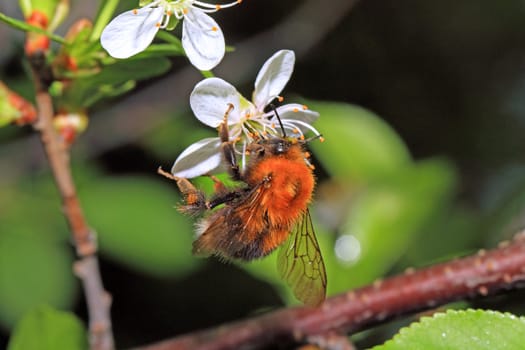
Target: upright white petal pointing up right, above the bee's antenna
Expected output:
[273,77]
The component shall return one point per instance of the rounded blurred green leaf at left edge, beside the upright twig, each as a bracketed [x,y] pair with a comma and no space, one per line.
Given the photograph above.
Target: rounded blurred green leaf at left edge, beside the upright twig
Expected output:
[33,270]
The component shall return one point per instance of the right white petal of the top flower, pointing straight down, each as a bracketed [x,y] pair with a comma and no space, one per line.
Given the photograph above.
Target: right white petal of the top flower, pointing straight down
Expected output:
[202,40]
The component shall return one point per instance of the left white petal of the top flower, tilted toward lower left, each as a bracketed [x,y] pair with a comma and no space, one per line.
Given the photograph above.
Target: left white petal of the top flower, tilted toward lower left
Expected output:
[131,32]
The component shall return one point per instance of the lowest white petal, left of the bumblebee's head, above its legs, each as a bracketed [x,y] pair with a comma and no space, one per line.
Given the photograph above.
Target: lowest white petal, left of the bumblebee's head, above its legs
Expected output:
[200,158]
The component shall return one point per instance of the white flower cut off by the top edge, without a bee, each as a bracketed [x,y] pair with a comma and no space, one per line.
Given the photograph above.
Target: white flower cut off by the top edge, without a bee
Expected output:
[133,31]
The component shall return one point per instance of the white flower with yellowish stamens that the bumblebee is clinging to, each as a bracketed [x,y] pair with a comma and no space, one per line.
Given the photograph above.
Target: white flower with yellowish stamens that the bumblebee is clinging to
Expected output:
[210,99]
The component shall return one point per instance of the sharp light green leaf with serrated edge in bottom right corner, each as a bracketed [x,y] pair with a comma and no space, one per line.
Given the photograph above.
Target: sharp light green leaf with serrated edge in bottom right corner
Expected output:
[469,329]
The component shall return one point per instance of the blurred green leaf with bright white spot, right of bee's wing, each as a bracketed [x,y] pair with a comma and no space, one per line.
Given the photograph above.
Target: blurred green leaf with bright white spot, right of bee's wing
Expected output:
[385,218]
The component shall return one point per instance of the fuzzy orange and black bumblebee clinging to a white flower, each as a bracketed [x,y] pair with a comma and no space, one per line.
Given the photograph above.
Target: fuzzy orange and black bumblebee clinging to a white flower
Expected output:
[268,210]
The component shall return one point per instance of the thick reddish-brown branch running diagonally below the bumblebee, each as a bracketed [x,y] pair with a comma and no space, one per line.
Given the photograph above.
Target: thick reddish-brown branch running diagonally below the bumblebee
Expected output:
[484,273]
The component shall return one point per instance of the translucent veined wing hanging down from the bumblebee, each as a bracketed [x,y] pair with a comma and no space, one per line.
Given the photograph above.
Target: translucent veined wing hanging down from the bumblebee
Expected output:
[301,265]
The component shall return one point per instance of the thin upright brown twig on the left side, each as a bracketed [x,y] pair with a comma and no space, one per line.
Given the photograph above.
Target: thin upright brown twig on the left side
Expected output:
[86,268]
